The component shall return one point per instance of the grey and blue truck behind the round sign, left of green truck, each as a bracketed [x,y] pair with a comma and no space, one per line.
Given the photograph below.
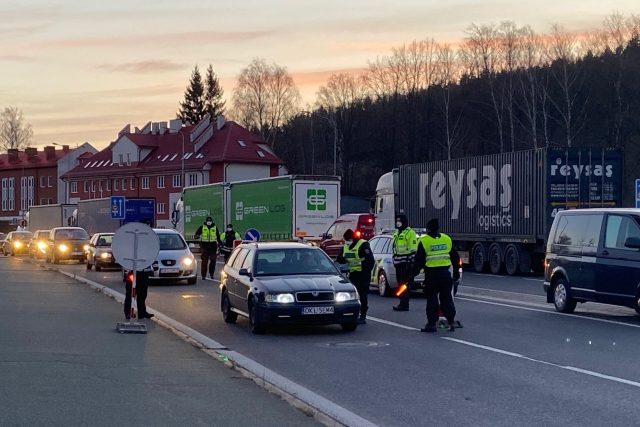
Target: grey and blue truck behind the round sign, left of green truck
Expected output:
[95,215]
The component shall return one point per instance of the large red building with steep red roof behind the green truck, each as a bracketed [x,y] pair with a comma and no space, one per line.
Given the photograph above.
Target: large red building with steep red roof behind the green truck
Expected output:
[155,162]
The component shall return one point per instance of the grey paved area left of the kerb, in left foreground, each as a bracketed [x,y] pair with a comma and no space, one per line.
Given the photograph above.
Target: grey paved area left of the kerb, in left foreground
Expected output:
[63,363]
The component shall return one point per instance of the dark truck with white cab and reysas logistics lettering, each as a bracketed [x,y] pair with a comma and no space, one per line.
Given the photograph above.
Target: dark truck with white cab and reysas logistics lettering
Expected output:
[499,208]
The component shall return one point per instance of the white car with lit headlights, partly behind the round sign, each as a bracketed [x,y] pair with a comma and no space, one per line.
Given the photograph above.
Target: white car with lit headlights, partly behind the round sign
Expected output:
[175,261]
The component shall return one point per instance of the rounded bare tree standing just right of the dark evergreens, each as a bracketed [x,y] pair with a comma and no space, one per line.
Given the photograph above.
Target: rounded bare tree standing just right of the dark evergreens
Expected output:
[265,98]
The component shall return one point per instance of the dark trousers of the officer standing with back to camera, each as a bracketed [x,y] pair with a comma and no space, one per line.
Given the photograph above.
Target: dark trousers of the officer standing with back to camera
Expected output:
[438,286]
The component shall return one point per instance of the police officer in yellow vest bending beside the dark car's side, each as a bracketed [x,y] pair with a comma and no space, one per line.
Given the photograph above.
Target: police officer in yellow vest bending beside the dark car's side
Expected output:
[357,254]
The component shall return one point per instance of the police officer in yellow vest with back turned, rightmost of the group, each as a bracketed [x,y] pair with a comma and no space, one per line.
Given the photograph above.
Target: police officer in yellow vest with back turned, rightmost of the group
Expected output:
[435,253]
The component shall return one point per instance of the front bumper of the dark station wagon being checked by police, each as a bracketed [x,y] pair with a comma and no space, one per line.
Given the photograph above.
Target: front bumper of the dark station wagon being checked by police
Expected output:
[272,314]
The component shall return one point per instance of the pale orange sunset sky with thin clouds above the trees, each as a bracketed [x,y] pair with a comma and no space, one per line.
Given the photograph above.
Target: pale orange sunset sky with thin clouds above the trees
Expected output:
[80,70]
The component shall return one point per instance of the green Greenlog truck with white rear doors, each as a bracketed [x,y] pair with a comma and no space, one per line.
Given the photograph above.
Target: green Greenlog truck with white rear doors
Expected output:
[290,207]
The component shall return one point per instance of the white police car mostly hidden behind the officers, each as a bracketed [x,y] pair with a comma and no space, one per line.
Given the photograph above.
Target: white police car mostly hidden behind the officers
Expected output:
[383,275]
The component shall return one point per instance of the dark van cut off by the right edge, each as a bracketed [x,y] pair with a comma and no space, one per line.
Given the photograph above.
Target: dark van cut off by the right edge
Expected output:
[593,255]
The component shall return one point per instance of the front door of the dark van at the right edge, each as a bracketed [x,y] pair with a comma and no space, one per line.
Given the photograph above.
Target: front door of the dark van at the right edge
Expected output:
[618,266]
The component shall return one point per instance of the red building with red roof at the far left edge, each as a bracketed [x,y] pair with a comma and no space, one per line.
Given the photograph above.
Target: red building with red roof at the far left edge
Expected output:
[32,177]
